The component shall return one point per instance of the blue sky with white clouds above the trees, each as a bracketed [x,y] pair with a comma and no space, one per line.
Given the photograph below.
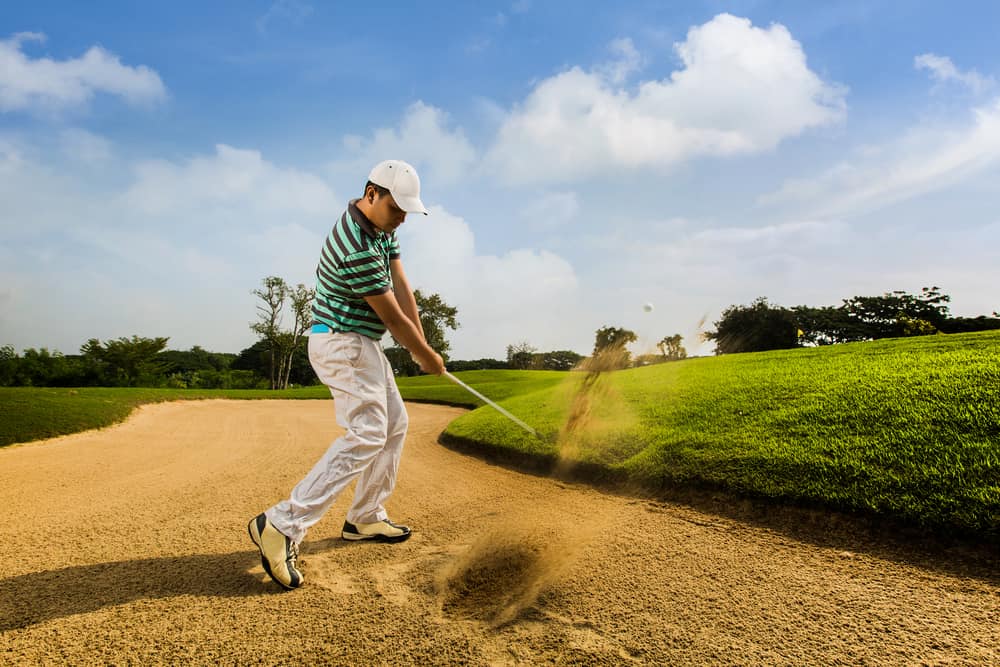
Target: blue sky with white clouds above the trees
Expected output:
[579,160]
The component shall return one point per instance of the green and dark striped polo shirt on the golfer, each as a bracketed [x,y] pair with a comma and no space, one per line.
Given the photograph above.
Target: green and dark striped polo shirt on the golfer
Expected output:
[353,264]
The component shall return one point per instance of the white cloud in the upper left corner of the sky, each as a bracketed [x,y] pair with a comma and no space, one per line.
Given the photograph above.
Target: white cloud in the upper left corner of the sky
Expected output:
[42,84]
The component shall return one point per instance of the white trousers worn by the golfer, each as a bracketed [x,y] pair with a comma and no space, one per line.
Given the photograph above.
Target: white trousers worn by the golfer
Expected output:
[369,406]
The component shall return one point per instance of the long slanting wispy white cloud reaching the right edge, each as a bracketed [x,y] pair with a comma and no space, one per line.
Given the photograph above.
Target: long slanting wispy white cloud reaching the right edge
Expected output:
[926,159]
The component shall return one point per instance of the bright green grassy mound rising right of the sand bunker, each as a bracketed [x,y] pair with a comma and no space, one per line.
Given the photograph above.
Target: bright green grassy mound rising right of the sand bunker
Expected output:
[906,428]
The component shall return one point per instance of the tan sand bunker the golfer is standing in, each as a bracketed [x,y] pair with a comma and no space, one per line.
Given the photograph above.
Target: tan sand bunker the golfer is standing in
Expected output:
[128,545]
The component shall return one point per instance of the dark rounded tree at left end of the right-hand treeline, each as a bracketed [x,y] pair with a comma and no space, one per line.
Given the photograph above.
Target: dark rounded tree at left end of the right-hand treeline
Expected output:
[754,328]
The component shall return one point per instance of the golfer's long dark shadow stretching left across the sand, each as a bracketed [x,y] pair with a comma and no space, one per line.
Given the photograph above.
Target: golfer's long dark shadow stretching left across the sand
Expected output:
[34,598]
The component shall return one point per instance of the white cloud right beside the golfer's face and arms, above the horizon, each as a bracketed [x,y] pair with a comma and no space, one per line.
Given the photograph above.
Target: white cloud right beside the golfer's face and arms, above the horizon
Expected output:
[501,299]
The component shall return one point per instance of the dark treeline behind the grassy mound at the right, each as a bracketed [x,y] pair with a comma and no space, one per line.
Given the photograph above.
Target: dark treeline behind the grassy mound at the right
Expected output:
[762,326]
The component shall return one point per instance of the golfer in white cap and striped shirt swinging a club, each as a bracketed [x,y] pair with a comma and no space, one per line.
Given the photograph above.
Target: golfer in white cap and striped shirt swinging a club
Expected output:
[361,290]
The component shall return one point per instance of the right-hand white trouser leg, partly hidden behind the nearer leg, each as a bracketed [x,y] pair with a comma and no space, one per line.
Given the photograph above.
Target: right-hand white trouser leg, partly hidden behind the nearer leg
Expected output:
[377,482]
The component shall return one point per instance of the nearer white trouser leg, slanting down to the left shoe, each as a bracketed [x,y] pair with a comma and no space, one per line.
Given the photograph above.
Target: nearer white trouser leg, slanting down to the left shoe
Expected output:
[351,366]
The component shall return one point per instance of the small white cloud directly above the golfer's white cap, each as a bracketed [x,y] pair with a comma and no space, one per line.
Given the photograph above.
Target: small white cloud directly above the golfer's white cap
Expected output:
[423,139]
